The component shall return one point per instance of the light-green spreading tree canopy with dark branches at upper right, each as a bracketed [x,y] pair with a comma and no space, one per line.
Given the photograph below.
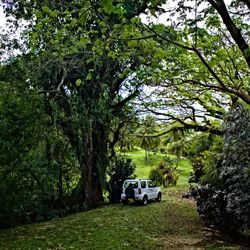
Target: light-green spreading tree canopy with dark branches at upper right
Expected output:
[206,64]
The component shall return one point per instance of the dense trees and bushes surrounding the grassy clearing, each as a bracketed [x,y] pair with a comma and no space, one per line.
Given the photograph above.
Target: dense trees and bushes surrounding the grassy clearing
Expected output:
[83,81]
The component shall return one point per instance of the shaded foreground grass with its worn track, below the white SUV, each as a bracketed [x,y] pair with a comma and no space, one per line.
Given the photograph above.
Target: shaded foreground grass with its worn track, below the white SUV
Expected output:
[170,224]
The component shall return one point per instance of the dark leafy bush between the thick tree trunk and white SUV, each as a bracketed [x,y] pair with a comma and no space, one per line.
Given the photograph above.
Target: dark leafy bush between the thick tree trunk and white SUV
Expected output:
[120,169]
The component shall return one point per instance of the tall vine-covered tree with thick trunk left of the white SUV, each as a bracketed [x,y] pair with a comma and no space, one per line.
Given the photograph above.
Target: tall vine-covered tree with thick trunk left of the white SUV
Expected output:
[82,60]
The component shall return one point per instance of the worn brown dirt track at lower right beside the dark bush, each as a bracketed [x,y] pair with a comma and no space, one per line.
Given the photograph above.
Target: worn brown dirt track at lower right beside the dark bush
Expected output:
[189,232]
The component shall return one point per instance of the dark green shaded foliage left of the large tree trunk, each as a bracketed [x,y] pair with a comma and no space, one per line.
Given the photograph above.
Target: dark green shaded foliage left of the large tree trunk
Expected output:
[37,166]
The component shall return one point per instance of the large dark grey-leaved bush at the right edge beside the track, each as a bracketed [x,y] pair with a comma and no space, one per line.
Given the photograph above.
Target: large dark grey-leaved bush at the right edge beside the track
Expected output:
[227,205]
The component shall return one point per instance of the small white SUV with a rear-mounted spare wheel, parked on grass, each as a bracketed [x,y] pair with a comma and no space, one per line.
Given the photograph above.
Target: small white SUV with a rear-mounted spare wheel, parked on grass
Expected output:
[140,190]
